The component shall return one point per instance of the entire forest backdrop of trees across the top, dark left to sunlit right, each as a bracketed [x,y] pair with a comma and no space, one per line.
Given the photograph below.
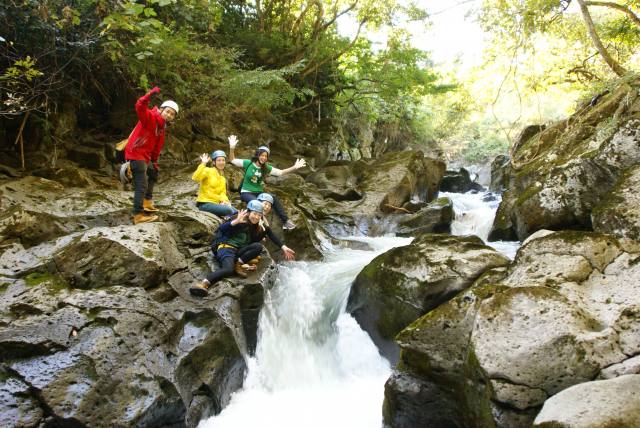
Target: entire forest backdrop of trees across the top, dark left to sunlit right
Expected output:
[270,67]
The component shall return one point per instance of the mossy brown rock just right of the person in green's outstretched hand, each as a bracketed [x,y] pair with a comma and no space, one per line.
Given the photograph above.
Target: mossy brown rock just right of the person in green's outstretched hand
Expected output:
[366,191]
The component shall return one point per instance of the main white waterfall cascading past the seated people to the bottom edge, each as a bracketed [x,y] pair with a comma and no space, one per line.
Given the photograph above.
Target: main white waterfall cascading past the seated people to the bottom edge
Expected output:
[314,366]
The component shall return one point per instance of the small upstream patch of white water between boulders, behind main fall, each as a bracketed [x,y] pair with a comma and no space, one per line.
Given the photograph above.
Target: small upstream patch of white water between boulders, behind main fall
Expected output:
[474,216]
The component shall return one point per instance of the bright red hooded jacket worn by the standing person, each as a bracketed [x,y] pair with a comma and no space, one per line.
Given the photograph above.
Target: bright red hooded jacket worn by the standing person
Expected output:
[147,138]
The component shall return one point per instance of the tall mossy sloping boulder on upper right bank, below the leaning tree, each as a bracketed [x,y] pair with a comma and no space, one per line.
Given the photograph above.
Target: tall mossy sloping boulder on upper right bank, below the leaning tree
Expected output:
[559,175]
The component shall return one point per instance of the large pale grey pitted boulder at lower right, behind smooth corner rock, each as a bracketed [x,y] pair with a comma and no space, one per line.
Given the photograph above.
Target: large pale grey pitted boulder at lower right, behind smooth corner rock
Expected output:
[564,313]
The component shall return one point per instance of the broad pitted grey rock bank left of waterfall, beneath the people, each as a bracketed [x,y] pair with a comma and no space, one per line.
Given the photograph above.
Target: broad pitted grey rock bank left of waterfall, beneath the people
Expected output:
[97,327]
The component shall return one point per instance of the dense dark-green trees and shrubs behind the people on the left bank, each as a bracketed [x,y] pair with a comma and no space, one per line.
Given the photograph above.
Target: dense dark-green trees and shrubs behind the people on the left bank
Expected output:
[251,65]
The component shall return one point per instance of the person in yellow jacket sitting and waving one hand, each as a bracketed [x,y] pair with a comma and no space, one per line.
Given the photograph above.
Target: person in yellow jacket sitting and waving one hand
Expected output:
[212,195]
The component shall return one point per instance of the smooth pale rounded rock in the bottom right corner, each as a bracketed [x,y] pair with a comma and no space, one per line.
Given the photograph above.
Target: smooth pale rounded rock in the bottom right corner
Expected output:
[614,402]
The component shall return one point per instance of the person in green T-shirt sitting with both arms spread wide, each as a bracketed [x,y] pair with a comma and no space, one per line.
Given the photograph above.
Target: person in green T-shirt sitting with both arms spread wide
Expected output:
[256,170]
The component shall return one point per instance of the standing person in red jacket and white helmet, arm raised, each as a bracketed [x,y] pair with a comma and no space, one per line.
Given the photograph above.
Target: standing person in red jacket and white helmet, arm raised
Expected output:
[143,151]
